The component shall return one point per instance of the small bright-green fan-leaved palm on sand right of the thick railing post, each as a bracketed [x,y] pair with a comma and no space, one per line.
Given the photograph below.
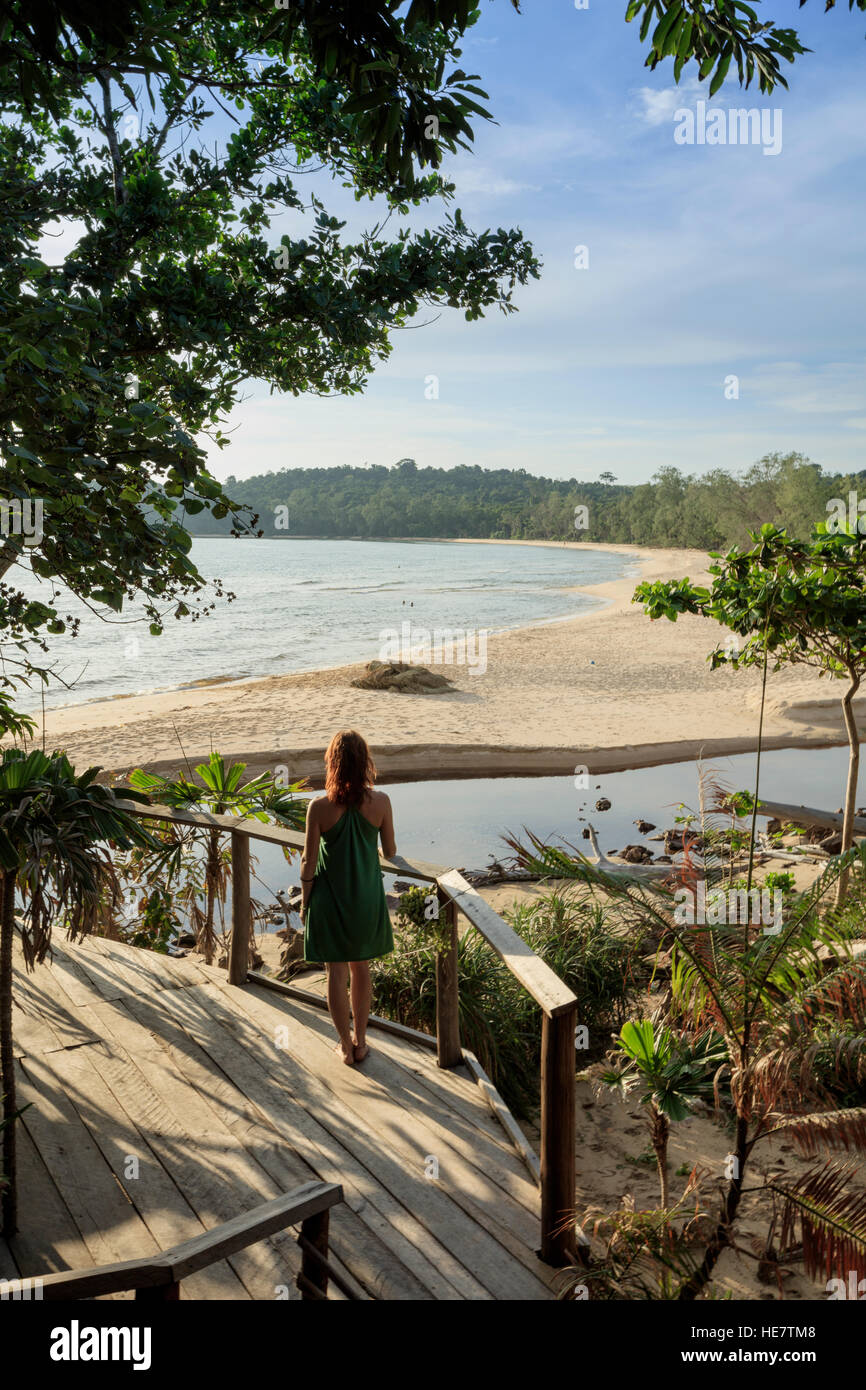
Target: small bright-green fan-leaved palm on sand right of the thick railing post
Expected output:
[672,1072]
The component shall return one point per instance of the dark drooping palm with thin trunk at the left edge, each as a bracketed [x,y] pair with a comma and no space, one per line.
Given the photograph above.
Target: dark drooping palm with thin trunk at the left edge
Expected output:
[58,832]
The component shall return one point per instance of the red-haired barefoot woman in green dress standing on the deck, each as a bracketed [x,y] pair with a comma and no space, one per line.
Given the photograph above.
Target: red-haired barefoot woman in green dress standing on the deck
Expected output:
[347,921]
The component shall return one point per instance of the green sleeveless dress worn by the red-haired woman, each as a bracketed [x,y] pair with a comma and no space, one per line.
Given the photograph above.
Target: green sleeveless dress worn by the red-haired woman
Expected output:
[347,914]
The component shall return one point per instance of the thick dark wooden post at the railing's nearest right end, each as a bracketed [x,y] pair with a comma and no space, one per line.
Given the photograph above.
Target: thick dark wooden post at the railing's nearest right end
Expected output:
[558,1243]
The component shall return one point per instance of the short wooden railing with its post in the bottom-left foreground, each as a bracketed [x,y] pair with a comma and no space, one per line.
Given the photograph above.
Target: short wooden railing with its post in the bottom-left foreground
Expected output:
[158,1278]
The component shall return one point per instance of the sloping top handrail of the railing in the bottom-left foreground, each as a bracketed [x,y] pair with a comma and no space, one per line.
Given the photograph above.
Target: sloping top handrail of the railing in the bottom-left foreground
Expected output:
[158,1274]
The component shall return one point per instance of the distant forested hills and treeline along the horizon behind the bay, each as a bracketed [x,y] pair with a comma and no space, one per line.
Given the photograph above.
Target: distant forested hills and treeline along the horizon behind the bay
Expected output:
[707,512]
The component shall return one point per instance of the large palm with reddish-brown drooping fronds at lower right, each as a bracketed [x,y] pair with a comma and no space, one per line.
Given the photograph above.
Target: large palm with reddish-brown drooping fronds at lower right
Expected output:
[749,983]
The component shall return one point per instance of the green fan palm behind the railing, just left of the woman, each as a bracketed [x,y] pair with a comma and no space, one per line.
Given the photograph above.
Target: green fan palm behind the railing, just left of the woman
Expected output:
[220,790]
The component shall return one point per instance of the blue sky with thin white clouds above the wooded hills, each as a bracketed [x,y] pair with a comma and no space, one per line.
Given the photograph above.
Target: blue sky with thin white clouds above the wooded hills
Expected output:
[705,262]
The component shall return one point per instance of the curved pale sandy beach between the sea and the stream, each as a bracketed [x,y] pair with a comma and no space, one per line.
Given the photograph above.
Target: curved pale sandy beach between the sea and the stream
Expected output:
[607,690]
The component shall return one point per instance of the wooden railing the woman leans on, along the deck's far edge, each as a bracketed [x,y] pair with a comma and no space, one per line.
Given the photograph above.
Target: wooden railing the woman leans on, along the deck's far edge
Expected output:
[558,1004]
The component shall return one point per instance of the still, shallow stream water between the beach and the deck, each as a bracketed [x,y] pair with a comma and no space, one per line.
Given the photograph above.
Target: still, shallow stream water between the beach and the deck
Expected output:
[461,824]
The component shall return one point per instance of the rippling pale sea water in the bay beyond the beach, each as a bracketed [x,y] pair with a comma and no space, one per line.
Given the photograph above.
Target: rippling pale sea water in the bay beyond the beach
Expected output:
[304,605]
